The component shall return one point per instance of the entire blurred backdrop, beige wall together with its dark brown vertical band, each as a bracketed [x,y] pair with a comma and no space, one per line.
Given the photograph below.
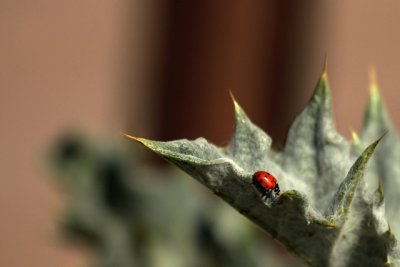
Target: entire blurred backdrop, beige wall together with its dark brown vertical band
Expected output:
[111,66]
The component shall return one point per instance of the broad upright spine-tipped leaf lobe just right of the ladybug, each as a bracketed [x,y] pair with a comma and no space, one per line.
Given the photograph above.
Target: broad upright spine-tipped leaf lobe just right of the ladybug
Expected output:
[314,151]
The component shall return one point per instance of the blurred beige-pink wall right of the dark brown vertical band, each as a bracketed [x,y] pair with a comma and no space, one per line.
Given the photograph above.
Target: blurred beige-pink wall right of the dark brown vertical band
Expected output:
[363,33]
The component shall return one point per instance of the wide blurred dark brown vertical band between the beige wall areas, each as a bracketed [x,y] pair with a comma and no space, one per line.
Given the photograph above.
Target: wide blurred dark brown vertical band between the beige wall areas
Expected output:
[260,50]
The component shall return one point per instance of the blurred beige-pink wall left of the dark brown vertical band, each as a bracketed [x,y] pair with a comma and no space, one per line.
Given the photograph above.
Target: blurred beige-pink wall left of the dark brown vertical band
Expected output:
[61,66]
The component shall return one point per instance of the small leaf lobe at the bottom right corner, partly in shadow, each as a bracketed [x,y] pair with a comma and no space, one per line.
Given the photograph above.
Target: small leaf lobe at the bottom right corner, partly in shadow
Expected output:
[365,238]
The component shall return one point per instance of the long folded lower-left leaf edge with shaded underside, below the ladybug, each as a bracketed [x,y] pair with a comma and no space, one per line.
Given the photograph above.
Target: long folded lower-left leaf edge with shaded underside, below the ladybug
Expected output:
[287,218]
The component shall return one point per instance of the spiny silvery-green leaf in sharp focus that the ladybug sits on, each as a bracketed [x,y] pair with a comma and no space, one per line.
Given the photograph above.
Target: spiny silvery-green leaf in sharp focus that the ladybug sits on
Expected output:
[323,194]
